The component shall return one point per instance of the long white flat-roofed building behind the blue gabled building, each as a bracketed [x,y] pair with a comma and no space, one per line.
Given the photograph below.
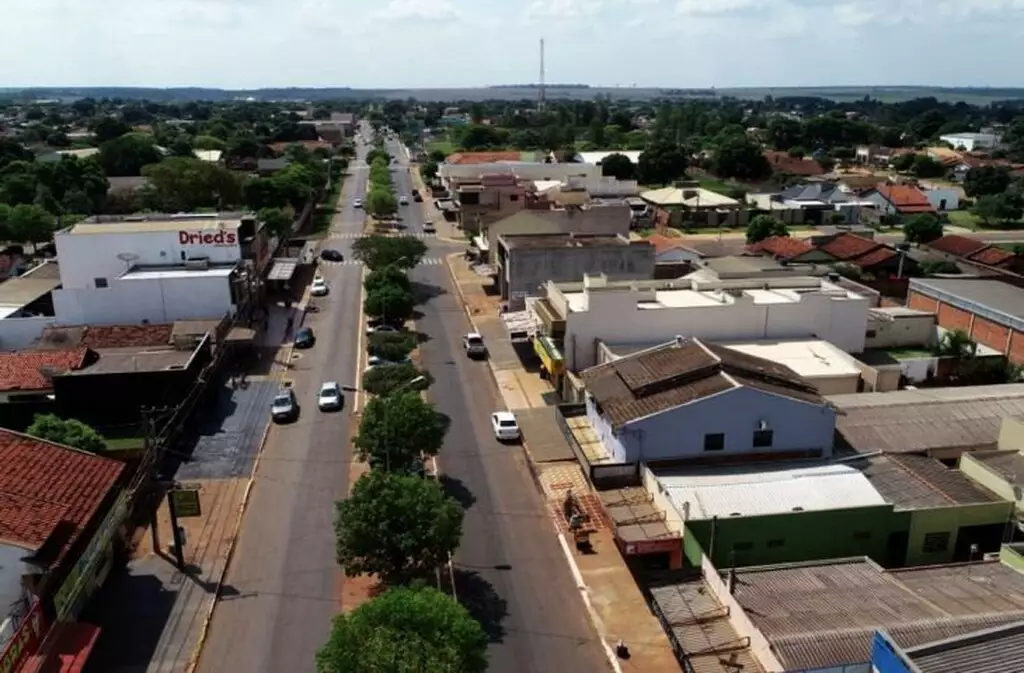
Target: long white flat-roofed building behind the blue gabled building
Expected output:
[702,307]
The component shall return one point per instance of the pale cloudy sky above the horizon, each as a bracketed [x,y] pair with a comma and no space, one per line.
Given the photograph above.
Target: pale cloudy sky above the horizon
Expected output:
[459,44]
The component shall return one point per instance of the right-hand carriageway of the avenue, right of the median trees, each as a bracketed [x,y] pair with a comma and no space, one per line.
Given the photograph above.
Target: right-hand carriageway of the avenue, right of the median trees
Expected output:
[509,569]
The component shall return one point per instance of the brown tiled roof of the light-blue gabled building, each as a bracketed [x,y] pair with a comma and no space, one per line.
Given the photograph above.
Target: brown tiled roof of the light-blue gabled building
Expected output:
[676,374]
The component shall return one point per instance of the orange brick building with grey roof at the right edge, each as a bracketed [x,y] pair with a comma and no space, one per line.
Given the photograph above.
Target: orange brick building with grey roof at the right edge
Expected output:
[992,313]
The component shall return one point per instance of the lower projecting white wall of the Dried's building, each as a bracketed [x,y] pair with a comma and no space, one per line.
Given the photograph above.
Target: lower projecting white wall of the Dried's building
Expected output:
[132,302]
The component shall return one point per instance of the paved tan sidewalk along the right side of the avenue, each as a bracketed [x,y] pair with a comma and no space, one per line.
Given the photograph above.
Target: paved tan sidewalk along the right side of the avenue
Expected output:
[614,601]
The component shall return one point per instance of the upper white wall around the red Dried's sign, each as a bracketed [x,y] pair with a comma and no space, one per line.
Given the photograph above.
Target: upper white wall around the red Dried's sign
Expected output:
[84,258]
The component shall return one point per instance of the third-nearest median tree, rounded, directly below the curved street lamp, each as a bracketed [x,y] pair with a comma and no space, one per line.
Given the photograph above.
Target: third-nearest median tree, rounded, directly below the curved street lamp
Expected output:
[398,430]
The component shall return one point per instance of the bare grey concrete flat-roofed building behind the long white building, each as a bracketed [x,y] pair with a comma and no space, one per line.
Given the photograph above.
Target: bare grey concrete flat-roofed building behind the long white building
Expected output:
[527,263]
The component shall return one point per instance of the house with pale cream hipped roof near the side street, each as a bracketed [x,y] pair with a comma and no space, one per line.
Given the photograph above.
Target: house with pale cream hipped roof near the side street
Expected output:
[688,204]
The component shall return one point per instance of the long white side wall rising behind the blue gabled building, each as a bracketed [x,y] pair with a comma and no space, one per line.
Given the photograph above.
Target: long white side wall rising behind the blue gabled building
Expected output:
[615,318]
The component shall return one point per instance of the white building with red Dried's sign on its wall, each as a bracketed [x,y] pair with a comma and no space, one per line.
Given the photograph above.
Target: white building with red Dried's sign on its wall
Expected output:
[159,270]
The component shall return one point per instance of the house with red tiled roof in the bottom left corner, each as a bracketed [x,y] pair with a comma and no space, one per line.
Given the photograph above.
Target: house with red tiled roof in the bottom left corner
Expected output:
[63,510]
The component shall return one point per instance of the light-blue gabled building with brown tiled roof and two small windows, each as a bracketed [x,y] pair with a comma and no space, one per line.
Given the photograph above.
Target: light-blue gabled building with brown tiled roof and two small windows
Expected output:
[690,400]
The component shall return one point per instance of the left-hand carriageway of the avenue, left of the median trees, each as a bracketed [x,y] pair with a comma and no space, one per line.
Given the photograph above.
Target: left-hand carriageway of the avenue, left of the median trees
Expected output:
[282,587]
